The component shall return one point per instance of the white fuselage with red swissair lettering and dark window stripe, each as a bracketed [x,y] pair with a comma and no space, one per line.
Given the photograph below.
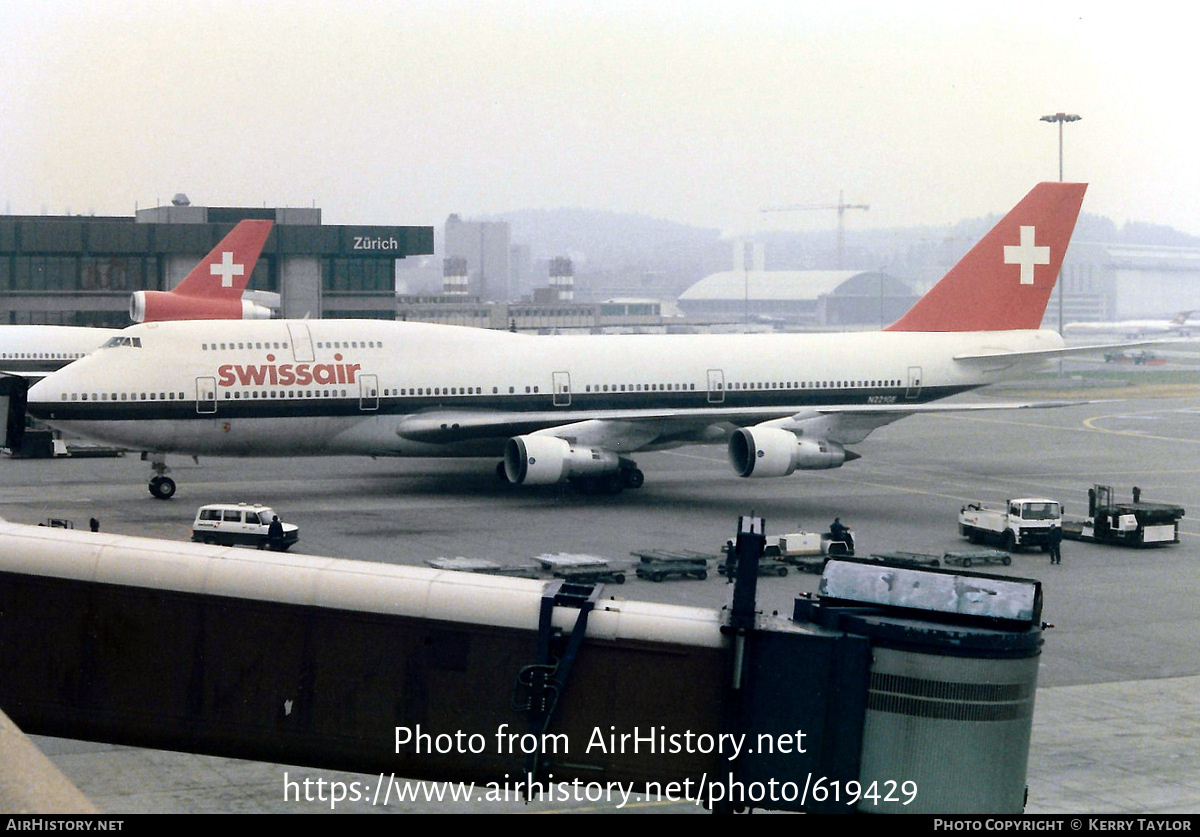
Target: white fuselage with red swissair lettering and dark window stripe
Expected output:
[289,388]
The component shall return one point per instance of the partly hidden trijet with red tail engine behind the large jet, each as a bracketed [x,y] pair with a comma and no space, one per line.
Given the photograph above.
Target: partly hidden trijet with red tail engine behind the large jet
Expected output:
[211,291]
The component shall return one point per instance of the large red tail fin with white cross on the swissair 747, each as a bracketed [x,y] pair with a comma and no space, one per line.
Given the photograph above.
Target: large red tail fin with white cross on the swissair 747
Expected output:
[1006,280]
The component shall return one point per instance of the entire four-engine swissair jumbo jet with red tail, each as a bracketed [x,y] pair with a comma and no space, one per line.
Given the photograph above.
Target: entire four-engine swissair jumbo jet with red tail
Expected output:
[571,407]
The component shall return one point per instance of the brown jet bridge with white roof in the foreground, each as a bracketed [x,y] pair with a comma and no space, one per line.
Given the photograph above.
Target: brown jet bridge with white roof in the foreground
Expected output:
[898,690]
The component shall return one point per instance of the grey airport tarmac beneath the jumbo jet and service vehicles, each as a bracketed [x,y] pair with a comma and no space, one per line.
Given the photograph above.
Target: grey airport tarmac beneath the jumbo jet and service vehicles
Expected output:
[1117,716]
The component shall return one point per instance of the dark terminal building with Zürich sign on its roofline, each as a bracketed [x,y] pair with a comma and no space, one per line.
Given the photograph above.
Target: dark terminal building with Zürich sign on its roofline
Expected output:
[81,270]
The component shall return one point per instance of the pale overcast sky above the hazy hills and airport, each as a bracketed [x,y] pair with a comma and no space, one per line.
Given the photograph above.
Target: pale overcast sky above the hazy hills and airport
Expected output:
[401,113]
